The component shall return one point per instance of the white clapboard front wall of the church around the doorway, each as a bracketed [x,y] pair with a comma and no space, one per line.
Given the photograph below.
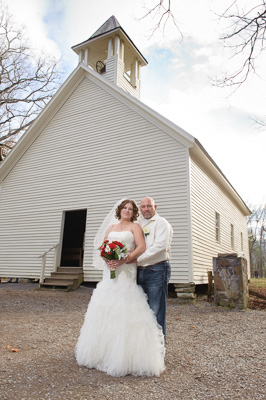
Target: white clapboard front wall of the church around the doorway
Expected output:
[94,151]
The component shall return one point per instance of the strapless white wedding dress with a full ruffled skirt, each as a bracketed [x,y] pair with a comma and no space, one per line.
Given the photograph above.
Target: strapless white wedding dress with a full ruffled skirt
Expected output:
[120,334]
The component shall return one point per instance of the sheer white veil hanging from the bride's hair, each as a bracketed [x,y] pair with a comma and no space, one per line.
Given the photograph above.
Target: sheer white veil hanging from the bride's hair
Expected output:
[110,219]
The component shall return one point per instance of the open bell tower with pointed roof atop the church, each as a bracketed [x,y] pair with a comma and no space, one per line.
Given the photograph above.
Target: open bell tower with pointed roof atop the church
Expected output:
[111,53]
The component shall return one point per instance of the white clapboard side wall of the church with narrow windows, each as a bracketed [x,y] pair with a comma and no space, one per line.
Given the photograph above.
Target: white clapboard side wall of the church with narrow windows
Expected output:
[207,198]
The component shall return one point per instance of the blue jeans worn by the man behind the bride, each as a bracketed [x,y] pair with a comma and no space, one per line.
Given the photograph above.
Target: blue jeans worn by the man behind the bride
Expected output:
[154,281]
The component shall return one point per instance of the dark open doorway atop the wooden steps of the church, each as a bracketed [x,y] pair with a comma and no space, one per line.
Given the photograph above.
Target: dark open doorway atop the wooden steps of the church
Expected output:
[73,238]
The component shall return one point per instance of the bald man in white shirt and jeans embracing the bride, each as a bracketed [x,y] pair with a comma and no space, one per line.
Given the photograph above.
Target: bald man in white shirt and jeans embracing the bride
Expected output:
[154,270]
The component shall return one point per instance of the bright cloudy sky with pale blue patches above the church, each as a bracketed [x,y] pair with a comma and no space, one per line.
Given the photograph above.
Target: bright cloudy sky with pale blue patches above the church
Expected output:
[177,80]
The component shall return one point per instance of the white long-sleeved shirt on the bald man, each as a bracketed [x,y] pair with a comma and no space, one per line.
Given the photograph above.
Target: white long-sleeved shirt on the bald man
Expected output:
[158,240]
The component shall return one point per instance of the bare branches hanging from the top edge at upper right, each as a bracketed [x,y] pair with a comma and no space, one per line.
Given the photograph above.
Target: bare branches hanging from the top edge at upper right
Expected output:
[245,34]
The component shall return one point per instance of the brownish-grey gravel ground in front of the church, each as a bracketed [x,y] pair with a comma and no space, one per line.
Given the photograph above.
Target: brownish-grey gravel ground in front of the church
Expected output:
[211,352]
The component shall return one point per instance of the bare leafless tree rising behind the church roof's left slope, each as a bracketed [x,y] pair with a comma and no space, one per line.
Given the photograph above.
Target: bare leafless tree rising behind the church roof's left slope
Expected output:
[27,82]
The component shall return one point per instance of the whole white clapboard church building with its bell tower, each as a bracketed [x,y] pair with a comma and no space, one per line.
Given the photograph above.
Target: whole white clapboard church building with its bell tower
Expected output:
[96,142]
